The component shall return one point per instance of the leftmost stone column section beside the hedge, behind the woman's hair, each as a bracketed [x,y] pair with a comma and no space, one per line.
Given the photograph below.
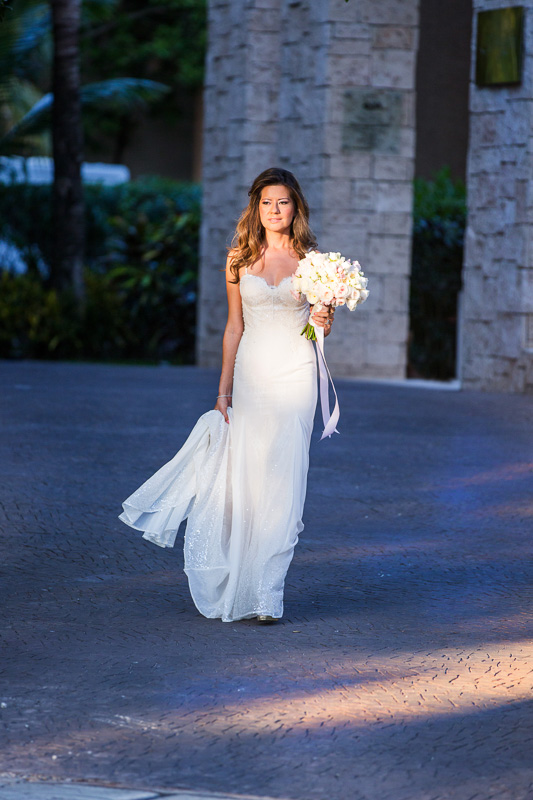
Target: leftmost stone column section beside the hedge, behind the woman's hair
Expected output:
[240,127]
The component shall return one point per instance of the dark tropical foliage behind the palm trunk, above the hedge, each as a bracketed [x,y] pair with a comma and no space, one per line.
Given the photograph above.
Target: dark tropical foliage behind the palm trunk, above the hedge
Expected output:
[132,55]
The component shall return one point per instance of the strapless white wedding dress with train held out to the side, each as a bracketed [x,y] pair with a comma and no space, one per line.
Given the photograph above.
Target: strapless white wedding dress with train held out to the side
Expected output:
[242,486]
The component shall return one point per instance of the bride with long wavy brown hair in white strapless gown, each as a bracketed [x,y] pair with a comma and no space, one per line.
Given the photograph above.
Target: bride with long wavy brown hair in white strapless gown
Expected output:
[240,478]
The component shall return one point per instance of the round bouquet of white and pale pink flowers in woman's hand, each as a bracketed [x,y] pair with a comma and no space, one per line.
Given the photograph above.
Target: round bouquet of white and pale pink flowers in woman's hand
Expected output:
[328,279]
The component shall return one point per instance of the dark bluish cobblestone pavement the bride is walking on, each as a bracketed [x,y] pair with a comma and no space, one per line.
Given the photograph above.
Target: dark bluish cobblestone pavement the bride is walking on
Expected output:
[403,668]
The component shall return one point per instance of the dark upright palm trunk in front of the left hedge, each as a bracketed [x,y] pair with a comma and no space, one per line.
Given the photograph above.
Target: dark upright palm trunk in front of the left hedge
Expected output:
[67,134]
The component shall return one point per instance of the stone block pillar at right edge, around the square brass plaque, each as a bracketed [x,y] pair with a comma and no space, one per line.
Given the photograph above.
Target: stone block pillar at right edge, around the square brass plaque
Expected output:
[496,330]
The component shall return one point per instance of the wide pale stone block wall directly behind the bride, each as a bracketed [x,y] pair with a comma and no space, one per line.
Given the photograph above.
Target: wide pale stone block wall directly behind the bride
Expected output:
[326,89]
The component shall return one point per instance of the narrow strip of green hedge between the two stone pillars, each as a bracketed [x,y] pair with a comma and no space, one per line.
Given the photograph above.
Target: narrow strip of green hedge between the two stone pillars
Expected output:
[438,235]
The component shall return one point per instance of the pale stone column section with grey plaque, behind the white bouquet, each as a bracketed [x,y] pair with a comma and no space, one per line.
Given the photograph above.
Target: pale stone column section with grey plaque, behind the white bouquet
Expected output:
[367,161]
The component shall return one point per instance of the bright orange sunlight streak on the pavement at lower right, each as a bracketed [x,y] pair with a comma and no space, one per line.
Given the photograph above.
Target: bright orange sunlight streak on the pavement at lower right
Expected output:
[387,689]
